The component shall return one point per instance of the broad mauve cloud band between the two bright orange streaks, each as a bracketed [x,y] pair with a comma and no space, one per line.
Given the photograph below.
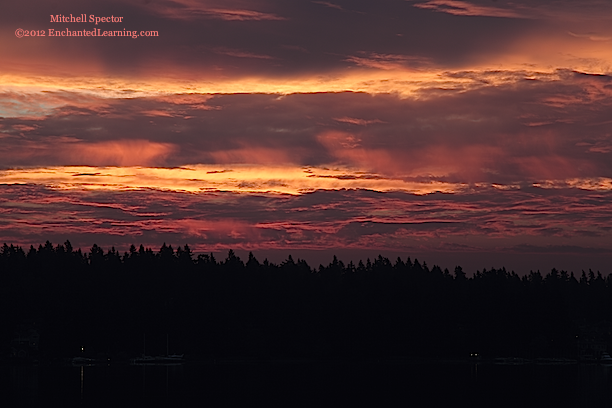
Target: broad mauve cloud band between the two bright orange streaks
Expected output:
[482,133]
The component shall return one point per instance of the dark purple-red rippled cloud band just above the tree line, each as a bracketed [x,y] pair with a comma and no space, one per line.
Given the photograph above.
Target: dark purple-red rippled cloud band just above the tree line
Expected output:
[481,220]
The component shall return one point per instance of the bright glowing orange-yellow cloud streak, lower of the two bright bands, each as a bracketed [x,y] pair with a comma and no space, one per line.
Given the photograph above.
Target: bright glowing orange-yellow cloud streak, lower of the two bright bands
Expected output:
[274,180]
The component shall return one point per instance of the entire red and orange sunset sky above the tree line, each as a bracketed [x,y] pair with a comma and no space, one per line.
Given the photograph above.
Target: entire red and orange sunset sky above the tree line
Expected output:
[474,133]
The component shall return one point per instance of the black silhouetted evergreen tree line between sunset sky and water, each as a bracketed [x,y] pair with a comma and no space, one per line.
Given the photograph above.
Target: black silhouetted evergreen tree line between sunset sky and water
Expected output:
[143,301]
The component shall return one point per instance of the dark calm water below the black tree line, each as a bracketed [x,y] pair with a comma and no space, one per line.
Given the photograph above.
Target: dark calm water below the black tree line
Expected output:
[306,385]
